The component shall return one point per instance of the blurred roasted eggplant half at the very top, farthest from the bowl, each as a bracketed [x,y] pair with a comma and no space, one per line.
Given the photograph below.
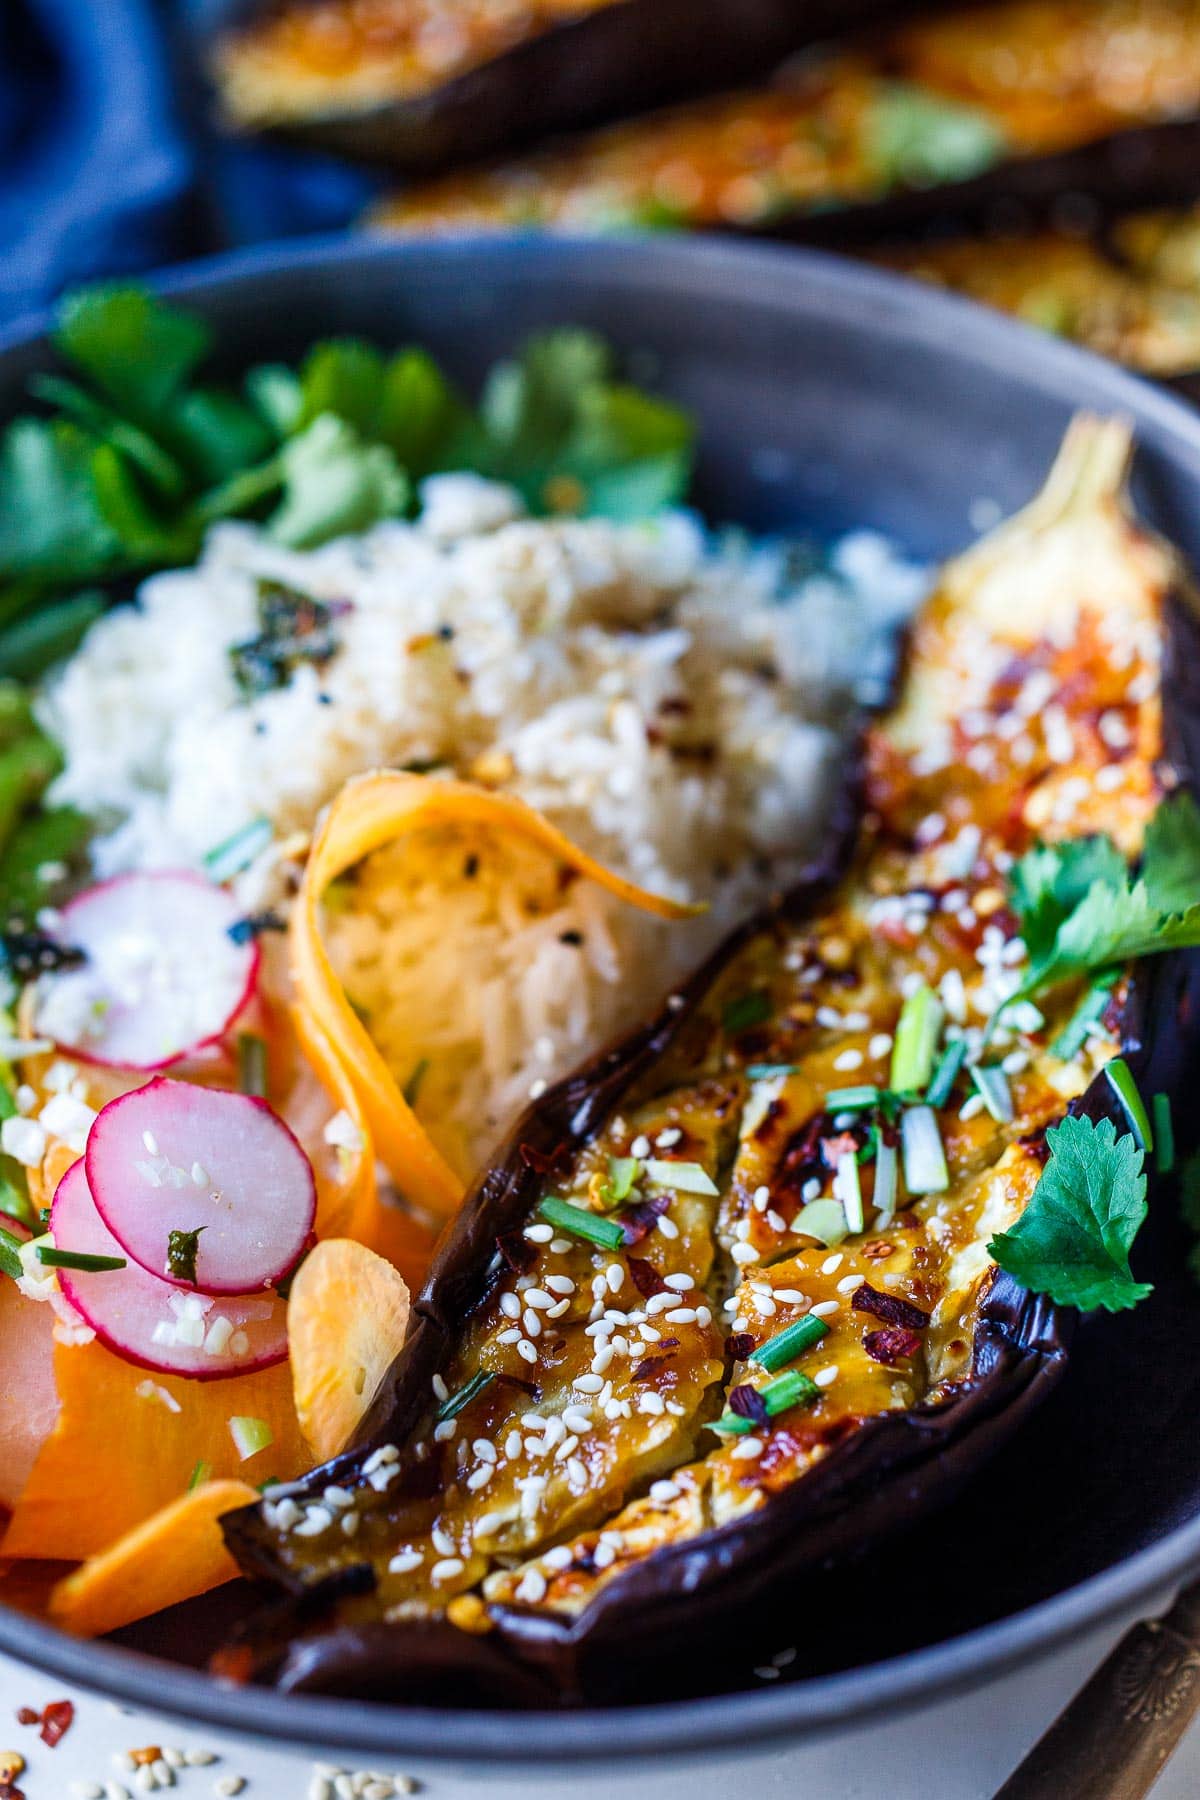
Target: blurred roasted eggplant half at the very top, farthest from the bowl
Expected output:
[424,84]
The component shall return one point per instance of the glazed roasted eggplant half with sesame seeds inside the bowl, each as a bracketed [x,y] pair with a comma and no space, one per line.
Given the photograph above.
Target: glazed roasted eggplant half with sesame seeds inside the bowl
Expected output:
[728,1306]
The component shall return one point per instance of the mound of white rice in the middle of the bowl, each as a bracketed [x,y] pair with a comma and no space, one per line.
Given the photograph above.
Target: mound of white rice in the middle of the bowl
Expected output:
[674,705]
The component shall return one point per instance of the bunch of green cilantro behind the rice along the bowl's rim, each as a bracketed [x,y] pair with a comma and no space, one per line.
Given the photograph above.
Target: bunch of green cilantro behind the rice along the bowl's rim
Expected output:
[141,453]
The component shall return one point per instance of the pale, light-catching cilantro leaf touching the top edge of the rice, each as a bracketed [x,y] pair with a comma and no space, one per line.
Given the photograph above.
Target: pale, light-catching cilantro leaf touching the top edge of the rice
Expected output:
[336,483]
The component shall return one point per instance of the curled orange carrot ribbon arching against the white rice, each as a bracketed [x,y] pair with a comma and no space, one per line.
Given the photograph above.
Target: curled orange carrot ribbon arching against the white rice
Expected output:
[370,813]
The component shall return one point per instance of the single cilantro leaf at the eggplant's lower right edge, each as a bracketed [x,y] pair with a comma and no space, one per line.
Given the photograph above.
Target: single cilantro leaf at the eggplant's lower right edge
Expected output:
[1073,1239]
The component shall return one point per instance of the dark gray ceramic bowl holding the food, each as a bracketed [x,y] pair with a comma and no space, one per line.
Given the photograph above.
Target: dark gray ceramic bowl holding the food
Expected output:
[828,397]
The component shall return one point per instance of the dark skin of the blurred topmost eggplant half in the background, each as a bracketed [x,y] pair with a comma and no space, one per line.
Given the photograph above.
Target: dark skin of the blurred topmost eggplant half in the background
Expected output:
[611,60]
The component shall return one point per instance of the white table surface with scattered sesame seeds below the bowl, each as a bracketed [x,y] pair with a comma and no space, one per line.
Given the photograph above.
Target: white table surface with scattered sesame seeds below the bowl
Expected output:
[956,1750]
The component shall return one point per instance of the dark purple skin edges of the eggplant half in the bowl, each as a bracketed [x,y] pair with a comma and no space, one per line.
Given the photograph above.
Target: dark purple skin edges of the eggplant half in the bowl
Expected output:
[877,1477]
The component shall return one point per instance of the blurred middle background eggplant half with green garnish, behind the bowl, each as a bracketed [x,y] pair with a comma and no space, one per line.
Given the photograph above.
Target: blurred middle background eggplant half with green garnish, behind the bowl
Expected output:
[990,107]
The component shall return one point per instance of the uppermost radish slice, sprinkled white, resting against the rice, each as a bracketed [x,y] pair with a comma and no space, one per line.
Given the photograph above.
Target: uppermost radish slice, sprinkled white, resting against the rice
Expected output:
[161,978]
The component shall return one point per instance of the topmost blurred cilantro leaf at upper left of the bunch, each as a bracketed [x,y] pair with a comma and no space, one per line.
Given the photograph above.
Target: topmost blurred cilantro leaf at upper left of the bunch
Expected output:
[136,348]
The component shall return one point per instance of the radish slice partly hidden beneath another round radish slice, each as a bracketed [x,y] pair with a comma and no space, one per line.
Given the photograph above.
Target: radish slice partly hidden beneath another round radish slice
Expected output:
[150,1322]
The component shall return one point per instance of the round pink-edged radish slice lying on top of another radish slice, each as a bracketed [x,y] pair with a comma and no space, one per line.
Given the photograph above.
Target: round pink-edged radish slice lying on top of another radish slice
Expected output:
[181,1158]
